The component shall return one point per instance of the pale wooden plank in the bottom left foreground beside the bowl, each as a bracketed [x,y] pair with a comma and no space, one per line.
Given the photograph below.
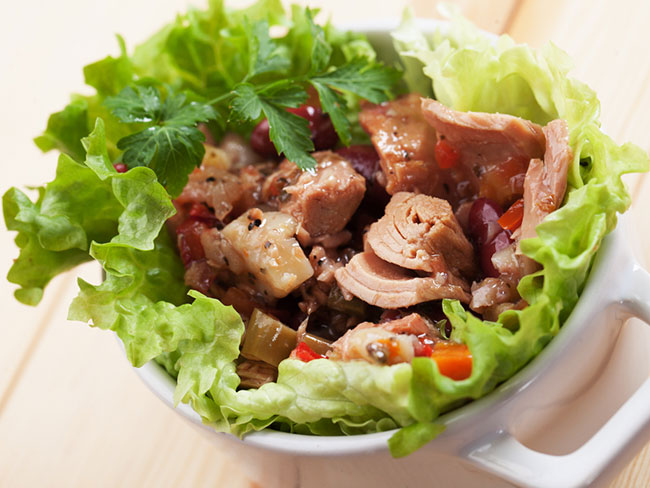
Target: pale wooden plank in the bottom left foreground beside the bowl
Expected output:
[81,417]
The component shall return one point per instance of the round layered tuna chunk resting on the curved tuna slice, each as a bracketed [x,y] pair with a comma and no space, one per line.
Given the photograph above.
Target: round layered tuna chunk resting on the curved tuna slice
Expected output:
[421,233]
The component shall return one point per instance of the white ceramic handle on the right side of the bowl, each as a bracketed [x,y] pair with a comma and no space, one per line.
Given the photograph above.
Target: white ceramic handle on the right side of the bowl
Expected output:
[604,454]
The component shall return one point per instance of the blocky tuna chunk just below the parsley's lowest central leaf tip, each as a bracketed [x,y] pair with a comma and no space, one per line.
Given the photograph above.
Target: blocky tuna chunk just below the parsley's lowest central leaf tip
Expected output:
[324,201]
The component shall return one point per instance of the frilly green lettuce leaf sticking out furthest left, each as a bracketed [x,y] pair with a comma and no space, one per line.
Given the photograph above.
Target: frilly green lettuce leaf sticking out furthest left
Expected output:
[84,203]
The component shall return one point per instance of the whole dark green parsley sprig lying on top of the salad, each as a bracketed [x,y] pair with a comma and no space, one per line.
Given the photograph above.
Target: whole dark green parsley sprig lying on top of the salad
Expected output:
[171,143]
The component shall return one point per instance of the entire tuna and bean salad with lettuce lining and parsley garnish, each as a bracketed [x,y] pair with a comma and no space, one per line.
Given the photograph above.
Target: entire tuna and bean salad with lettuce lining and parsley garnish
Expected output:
[318,238]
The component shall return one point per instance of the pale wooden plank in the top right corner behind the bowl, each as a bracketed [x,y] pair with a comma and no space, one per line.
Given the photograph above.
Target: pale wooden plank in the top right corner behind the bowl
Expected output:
[608,44]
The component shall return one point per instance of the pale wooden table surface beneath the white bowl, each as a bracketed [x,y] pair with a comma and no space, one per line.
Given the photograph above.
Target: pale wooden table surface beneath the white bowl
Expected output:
[72,412]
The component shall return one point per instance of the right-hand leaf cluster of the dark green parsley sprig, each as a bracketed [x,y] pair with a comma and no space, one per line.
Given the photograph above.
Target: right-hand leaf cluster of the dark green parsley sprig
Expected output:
[290,135]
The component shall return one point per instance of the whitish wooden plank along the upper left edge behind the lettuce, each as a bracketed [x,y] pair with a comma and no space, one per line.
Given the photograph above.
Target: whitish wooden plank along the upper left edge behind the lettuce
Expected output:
[45,69]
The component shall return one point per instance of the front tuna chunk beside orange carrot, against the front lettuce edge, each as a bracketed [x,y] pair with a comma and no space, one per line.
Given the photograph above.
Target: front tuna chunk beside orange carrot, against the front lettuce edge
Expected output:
[387,343]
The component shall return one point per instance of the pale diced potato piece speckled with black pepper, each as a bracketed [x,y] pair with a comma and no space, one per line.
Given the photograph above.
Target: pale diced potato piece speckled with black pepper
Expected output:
[274,260]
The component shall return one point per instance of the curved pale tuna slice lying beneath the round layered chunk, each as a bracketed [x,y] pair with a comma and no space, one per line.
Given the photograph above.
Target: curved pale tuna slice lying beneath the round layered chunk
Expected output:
[386,285]
